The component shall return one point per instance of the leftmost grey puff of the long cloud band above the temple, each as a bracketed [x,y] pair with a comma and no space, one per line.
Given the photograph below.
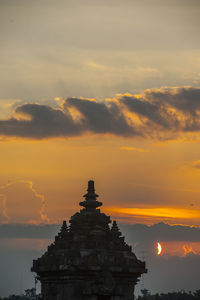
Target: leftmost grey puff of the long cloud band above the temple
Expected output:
[44,122]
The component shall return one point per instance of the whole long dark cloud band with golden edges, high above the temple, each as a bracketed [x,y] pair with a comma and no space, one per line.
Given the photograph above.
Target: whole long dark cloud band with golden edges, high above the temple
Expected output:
[164,113]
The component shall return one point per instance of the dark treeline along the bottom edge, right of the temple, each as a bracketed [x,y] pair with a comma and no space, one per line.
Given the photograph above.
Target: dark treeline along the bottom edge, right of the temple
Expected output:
[181,295]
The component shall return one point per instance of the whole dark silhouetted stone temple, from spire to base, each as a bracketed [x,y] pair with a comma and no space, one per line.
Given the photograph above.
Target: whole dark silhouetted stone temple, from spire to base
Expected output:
[89,260]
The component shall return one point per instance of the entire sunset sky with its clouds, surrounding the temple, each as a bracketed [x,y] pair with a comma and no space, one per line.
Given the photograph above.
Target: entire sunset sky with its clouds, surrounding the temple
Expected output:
[109,91]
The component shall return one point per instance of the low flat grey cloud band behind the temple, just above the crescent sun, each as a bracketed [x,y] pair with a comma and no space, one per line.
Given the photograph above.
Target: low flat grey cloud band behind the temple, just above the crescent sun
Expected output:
[134,233]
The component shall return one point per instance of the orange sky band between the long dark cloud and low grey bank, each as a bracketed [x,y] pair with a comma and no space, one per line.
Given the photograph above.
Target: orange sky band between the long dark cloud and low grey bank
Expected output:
[159,184]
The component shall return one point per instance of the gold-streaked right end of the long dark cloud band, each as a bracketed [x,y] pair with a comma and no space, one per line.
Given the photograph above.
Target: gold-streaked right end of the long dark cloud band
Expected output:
[162,107]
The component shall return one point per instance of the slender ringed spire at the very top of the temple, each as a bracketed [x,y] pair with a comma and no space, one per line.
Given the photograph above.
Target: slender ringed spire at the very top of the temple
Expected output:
[90,202]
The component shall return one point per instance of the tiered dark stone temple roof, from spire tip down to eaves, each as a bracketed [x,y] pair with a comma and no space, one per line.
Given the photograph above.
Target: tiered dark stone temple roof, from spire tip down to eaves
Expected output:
[90,243]
